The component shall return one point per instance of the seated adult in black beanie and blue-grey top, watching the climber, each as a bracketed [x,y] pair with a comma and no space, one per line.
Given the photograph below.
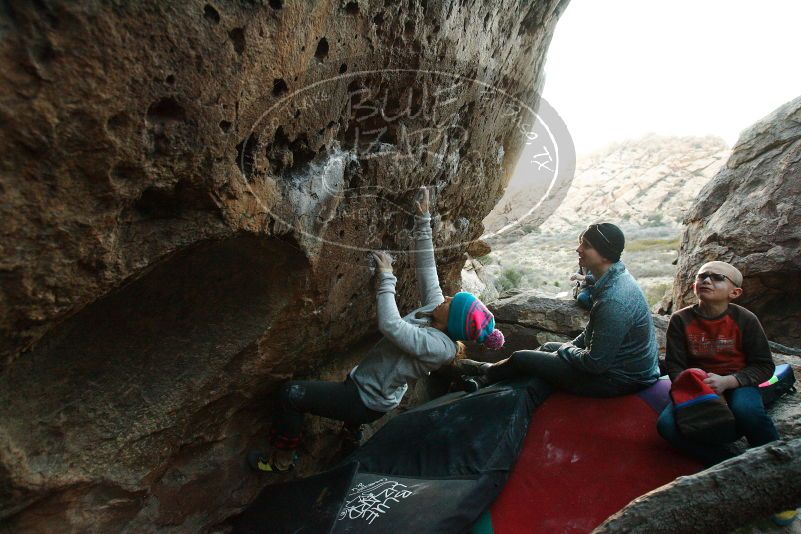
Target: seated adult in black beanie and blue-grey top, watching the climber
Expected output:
[616,354]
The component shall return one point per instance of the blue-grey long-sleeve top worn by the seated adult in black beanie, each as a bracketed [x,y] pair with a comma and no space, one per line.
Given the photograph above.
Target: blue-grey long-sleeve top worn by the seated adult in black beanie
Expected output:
[619,340]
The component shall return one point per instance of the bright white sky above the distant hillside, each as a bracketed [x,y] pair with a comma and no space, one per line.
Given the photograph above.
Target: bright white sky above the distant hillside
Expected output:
[617,69]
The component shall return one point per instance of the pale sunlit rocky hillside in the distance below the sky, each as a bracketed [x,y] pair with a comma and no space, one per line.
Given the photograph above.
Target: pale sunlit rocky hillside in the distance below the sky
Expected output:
[650,181]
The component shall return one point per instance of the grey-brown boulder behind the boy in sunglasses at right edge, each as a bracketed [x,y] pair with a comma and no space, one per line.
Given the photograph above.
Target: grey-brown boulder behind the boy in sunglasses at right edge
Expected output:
[750,215]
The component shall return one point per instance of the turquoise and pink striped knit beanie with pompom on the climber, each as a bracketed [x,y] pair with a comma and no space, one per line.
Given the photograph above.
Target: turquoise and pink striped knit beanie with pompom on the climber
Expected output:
[470,320]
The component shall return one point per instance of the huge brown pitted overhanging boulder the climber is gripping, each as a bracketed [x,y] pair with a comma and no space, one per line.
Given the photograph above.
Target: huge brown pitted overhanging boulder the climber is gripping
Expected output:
[188,193]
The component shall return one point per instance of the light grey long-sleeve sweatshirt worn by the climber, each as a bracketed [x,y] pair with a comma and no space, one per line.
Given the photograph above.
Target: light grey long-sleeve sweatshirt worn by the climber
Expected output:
[411,347]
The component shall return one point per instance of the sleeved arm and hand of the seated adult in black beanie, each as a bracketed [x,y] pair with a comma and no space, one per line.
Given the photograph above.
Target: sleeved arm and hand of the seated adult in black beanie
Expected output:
[610,324]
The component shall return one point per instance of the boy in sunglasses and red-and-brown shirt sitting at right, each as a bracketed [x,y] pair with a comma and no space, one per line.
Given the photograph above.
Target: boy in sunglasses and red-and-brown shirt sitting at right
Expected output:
[726,341]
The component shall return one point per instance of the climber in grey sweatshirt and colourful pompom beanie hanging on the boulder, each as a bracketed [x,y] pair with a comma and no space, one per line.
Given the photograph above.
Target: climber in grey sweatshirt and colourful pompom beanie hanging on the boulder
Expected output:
[413,345]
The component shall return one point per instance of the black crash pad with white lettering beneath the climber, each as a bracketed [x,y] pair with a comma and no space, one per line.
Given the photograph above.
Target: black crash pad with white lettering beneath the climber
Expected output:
[434,468]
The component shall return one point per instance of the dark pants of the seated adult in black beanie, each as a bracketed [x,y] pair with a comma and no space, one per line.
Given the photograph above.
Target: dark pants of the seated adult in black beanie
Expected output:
[545,363]
